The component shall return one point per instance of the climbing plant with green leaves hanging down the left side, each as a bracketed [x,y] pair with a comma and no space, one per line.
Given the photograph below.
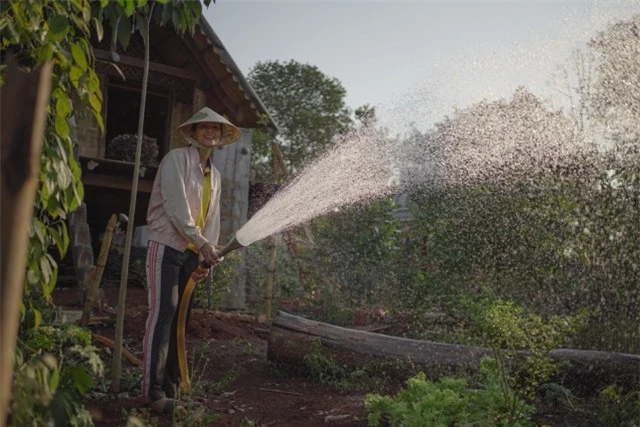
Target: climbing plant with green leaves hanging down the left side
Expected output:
[33,32]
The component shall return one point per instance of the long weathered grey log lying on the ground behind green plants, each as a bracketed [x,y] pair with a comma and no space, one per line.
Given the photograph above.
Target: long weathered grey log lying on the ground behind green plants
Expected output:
[292,338]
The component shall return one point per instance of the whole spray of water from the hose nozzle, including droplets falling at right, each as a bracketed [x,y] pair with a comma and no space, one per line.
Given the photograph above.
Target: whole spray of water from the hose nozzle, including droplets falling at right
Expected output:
[571,237]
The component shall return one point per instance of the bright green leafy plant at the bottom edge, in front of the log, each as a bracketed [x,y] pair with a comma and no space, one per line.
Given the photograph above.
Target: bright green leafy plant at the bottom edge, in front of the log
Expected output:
[449,401]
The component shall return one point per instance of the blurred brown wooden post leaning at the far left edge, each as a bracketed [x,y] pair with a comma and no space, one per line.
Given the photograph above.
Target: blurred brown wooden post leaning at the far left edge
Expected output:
[23,117]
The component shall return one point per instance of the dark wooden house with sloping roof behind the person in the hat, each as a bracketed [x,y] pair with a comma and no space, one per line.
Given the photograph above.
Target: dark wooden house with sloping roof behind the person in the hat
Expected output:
[186,73]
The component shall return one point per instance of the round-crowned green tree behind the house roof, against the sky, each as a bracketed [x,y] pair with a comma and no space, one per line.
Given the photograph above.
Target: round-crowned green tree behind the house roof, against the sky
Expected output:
[308,107]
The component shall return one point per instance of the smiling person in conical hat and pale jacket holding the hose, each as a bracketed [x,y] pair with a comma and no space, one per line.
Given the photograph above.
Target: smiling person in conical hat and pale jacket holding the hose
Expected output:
[183,222]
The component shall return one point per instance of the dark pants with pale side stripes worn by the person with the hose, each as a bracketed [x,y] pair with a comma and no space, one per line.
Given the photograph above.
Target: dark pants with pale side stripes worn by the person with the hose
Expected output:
[168,271]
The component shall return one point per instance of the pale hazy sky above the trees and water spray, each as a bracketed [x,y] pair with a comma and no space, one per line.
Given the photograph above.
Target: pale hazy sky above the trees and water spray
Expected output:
[416,61]
